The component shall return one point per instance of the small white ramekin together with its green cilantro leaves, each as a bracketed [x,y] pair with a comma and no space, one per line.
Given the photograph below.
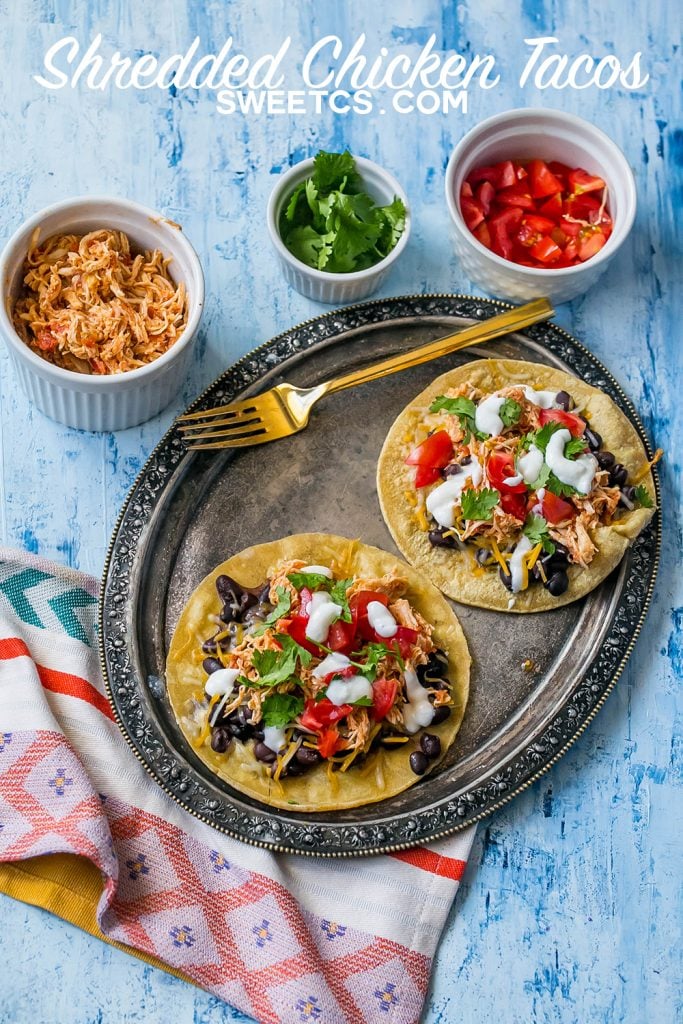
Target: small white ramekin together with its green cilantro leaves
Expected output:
[338,223]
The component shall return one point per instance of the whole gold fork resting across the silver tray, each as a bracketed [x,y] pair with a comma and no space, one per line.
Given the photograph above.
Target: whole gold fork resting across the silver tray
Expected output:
[285,409]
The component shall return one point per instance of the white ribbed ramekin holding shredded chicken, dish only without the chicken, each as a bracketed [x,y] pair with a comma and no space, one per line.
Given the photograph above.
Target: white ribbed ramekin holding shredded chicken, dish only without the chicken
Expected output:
[115,401]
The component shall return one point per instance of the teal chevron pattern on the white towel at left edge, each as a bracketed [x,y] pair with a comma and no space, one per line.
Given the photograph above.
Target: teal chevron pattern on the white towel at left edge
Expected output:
[62,603]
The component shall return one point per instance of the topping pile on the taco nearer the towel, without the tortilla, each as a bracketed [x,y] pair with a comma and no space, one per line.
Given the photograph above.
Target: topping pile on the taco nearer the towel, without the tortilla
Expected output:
[310,668]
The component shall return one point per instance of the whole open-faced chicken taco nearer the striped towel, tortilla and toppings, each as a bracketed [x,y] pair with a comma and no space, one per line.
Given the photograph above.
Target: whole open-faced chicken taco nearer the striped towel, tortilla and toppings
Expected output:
[317,673]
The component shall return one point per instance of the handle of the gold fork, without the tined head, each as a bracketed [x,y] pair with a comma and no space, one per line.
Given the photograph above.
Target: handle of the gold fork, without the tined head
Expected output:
[511,320]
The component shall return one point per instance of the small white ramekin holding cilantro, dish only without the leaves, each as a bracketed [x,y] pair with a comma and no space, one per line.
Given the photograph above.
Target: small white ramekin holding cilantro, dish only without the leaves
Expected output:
[319,285]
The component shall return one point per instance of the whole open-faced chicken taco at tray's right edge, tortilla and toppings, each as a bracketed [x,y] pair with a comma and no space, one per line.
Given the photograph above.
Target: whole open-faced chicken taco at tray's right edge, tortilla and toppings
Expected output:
[514,486]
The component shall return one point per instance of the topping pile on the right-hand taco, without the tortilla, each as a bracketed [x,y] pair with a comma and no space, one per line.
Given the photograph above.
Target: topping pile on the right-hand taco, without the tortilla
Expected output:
[520,480]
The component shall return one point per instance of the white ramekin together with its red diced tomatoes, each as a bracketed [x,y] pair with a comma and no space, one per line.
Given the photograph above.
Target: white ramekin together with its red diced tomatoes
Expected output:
[540,203]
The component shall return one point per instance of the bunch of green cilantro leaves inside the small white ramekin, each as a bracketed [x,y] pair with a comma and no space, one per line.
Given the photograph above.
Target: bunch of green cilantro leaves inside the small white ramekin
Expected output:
[330,224]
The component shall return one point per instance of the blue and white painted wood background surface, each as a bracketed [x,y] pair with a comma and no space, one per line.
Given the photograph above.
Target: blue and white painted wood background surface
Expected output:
[571,907]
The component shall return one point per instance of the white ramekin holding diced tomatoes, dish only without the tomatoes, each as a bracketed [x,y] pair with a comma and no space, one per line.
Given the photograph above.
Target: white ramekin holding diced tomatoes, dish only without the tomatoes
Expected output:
[544,135]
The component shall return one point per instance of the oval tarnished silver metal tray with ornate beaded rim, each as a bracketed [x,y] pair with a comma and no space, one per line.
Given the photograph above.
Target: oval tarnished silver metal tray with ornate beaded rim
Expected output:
[188,513]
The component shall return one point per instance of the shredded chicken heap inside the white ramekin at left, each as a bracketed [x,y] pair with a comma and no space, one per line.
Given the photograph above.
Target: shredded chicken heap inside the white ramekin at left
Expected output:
[93,305]
